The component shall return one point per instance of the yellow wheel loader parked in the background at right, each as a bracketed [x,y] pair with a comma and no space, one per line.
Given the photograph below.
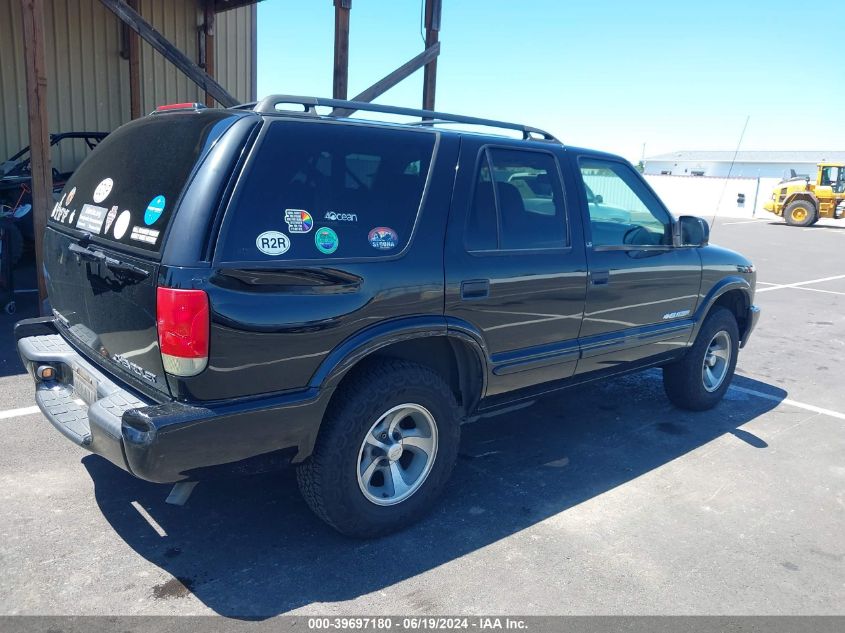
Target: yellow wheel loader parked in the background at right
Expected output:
[803,203]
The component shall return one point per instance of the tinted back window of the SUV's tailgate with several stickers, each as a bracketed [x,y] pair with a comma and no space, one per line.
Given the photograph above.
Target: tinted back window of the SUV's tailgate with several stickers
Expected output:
[126,190]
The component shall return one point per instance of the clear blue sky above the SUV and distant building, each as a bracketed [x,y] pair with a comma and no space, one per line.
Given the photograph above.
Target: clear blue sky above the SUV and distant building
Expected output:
[606,74]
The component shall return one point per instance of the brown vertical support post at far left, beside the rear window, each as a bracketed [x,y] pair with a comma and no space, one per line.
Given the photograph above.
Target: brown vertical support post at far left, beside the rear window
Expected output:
[39,134]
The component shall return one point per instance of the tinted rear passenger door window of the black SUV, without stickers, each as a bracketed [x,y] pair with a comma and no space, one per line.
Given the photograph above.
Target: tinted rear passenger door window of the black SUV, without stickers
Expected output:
[517,203]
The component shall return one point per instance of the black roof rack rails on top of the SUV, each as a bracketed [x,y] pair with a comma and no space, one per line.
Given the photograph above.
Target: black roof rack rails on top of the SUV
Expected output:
[341,108]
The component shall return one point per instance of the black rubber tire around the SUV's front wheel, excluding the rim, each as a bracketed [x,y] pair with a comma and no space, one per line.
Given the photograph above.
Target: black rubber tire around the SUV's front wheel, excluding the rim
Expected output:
[685,381]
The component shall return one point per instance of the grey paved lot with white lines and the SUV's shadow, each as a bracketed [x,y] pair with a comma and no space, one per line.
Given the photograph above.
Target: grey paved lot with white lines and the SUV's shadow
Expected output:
[602,500]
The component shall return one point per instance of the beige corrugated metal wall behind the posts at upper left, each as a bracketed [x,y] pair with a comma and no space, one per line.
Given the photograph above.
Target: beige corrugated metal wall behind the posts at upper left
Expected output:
[88,80]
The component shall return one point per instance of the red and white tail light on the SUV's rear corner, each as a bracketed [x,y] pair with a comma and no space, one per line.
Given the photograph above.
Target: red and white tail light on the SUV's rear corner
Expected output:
[182,317]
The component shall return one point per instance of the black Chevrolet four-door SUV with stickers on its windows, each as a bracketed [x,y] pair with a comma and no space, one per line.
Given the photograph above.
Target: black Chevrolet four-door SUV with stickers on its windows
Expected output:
[237,289]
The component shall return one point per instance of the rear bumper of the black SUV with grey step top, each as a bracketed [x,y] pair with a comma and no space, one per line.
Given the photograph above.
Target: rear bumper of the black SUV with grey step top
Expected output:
[172,441]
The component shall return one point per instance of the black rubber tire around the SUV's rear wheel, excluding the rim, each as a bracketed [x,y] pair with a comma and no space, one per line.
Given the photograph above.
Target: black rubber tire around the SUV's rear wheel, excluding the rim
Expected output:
[329,480]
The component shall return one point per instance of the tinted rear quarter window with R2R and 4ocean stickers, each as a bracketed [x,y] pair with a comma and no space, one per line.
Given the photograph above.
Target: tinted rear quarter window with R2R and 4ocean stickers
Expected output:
[316,191]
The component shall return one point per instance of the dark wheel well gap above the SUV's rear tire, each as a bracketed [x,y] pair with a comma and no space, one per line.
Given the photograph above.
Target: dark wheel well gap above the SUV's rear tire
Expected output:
[453,359]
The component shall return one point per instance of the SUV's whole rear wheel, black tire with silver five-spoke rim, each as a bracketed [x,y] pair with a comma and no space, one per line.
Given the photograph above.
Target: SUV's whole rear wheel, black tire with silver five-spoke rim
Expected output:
[385,450]
